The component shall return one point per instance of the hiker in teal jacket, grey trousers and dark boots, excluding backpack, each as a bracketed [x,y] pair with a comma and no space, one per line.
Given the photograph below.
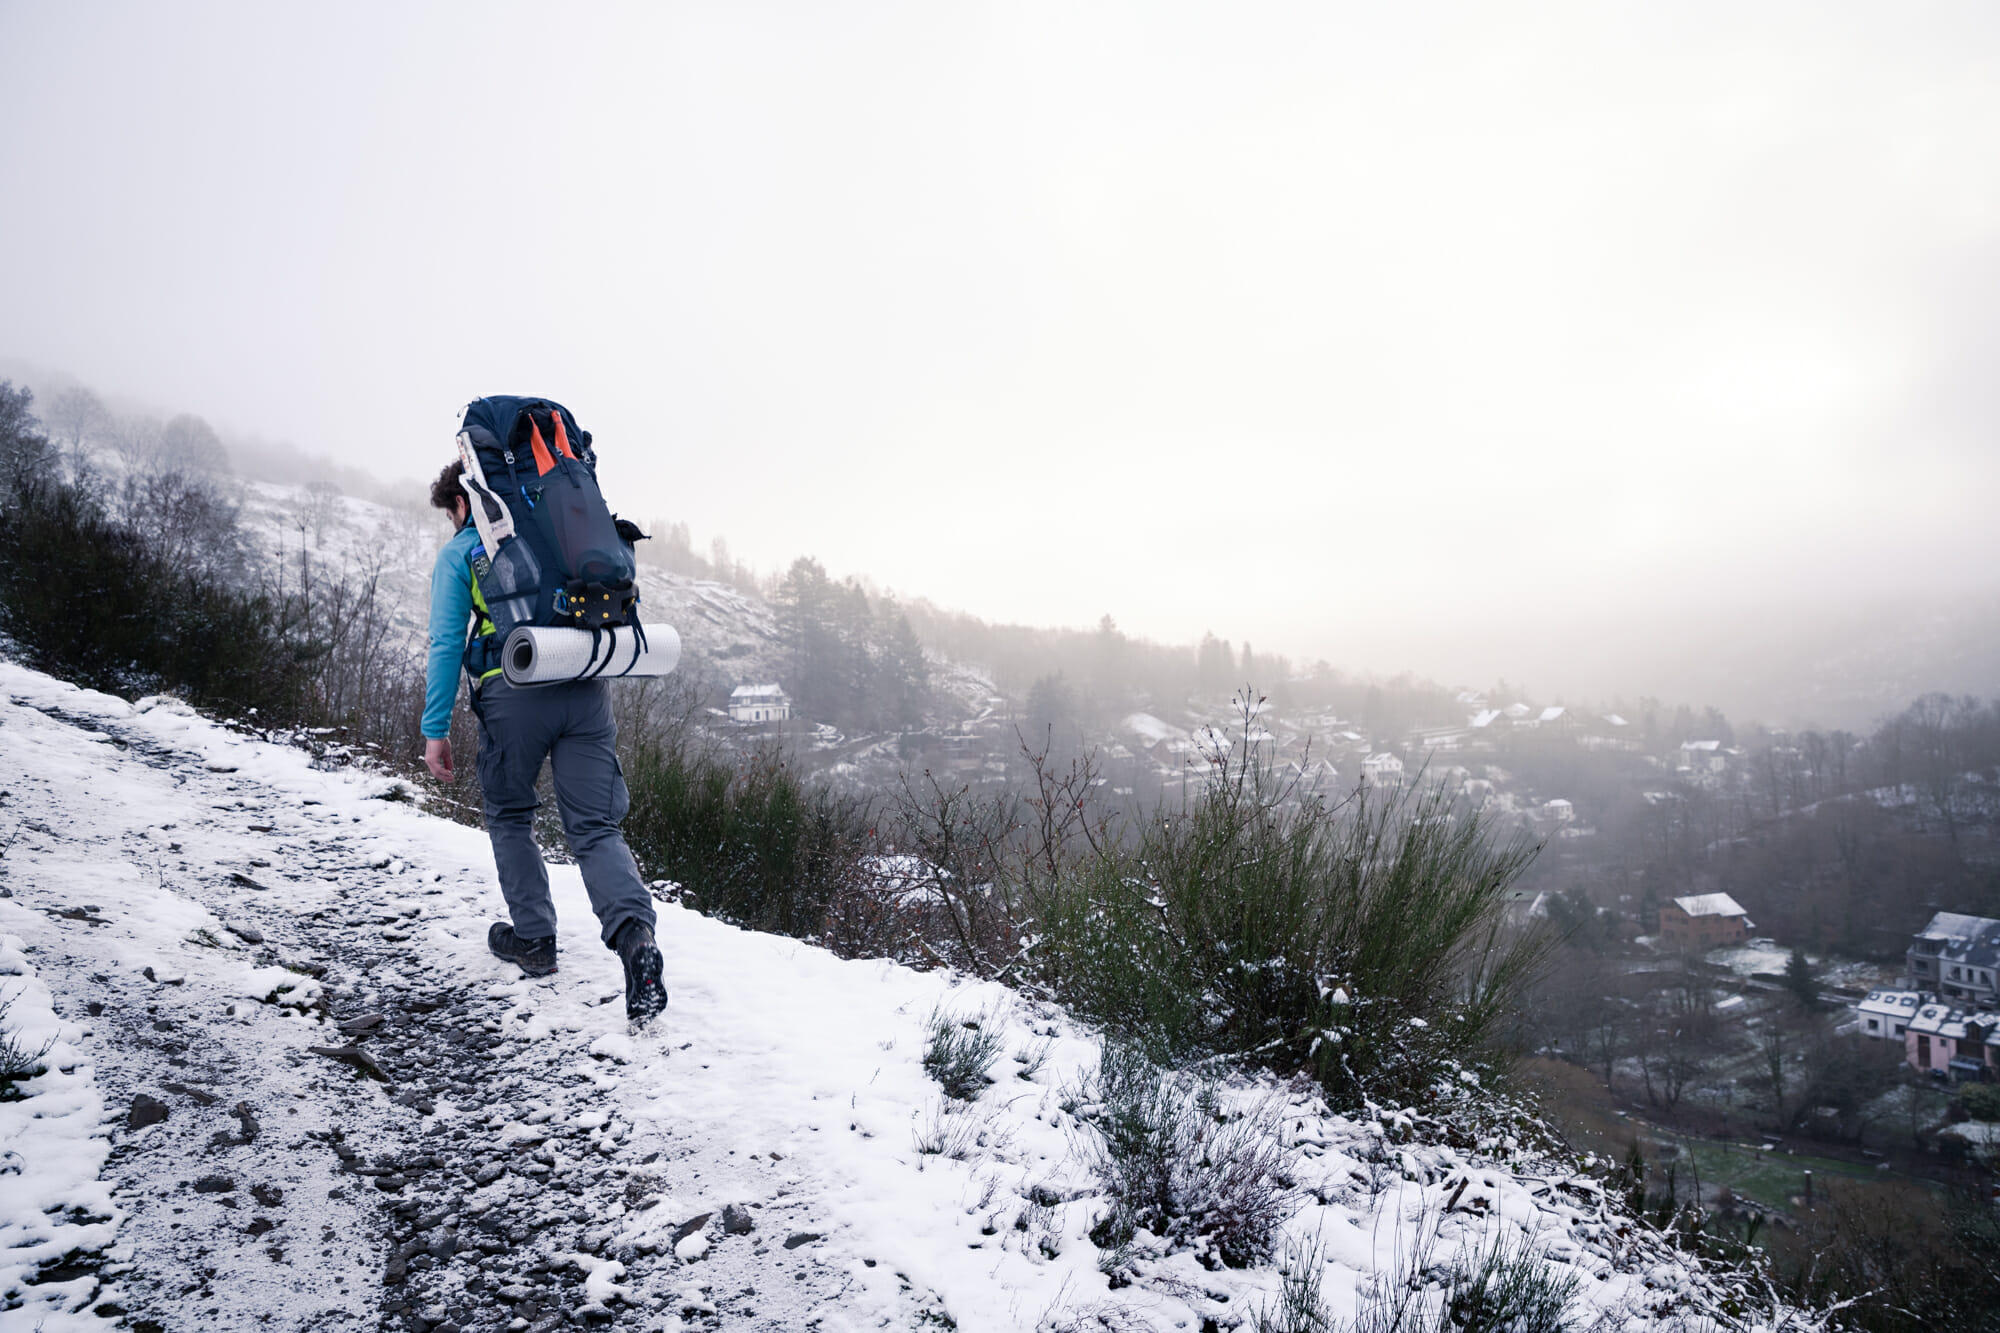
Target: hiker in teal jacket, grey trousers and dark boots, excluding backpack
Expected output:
[571,726]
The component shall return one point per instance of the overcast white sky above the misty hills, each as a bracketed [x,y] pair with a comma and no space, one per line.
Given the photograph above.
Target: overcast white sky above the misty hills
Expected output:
[1431,337]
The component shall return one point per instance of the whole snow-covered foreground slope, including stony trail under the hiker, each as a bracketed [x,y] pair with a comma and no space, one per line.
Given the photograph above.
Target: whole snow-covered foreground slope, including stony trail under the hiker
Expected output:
[289,1088]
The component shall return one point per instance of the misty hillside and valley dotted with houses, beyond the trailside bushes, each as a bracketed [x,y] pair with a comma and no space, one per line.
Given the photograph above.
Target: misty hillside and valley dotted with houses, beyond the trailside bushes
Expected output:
[1775,948]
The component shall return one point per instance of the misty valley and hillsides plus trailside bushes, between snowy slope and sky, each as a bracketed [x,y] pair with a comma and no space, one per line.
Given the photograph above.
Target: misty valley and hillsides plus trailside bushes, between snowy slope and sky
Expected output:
[1743,974]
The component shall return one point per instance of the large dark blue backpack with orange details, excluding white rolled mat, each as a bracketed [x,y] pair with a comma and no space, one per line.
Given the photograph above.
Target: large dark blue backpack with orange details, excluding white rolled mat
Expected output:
[551,551]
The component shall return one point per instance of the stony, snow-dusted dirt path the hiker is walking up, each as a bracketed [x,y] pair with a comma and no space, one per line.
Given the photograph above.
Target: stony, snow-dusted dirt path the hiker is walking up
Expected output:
[327,1112]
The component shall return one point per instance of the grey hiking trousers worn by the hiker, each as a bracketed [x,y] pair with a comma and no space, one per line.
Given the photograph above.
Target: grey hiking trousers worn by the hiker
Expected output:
[573,728]
